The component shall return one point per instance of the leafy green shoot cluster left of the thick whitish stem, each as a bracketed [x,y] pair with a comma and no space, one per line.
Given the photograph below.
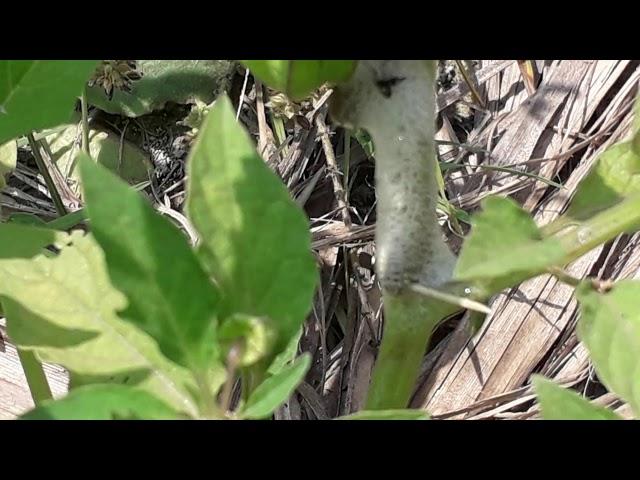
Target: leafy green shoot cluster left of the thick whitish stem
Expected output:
[102,336]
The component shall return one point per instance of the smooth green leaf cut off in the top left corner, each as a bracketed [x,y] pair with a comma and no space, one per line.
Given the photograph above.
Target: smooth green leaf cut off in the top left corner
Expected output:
[37,94]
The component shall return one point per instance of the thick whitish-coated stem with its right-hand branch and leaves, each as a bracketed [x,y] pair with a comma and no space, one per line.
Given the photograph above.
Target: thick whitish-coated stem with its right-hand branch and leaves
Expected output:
[387,99]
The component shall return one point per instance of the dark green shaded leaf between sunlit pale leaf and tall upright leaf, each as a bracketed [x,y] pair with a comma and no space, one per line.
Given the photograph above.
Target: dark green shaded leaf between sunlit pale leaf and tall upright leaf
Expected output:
[150,260]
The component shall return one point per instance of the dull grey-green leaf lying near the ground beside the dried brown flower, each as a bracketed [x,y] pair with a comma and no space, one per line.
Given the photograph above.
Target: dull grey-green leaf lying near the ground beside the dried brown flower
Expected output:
[176,81]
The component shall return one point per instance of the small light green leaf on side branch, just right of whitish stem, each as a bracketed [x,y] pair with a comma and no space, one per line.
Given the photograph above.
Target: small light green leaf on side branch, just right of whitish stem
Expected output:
[504,246]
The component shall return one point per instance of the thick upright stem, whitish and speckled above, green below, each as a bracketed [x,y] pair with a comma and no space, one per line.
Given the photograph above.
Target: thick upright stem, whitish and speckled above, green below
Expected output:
[409,245]
